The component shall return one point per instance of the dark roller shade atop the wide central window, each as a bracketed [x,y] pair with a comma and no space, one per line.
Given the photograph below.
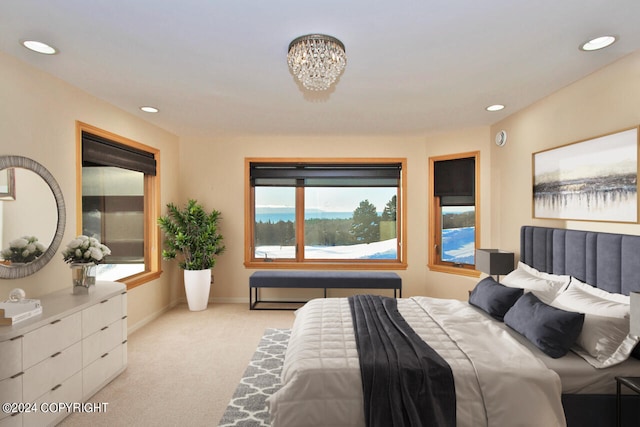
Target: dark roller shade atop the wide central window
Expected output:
[325,175]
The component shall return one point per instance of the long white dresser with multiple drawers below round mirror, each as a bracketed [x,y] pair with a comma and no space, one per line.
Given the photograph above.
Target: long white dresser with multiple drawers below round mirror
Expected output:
[65,355]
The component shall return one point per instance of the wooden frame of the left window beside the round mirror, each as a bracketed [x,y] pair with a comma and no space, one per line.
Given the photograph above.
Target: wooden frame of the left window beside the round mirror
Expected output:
[152,260]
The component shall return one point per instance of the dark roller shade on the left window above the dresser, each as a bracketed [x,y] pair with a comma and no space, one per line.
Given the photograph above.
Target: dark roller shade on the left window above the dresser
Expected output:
[98,151]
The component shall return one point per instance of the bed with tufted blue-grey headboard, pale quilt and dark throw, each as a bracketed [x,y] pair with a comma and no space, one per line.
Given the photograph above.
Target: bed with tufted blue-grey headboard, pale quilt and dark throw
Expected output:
[503,370]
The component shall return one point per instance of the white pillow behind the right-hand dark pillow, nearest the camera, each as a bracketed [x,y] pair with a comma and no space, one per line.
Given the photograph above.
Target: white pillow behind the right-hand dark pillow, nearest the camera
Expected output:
[604,340]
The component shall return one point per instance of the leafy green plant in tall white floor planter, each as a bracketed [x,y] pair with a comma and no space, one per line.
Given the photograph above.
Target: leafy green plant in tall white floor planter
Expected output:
[193,233]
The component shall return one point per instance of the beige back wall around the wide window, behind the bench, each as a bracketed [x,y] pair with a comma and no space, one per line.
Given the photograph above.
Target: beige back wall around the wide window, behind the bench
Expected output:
[217,180]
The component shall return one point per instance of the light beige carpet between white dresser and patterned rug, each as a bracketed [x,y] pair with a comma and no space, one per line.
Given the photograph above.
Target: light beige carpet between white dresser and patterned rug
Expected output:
[183,367]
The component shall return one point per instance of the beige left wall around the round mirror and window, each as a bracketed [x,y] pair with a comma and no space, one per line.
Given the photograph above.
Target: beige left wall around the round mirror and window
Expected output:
[38,117]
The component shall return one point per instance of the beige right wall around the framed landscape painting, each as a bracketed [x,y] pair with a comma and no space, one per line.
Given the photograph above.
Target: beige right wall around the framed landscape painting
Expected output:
[602,103]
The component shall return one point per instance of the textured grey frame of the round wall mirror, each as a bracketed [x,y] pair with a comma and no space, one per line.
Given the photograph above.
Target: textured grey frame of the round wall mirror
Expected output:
[13,272]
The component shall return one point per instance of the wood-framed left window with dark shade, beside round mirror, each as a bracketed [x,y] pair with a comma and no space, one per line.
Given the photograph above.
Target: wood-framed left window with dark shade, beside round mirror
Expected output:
[118,203]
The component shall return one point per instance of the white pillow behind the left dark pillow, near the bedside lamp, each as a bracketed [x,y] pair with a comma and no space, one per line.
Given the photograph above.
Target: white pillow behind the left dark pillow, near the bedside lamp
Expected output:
[543,285]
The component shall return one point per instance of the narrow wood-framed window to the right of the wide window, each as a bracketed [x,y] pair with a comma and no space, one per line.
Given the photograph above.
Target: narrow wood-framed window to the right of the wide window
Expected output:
[453,215]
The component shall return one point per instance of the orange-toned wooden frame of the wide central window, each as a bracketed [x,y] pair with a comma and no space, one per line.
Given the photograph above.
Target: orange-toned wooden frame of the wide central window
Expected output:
[249,212]
